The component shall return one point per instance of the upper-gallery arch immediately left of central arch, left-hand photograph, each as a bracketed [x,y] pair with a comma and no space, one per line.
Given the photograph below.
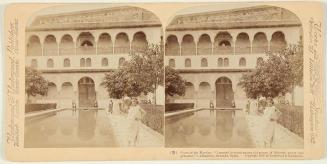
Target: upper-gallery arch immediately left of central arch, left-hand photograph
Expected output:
[67,46]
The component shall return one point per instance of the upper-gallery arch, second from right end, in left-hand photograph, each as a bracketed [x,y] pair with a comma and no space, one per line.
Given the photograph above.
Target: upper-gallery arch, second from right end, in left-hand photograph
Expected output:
[122,44]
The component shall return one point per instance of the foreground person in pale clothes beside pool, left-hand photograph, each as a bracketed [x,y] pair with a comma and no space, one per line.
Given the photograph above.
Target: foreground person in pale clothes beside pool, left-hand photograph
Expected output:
[134,117]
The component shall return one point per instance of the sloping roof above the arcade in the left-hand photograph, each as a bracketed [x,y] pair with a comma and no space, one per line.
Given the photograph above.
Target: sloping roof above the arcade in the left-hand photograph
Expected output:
[117,17]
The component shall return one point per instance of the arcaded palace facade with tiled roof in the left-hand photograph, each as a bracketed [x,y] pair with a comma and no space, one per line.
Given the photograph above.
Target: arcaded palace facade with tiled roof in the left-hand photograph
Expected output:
[75,50]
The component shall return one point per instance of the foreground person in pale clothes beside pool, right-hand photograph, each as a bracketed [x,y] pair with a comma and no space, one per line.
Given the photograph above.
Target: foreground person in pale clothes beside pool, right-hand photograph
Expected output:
[271,115]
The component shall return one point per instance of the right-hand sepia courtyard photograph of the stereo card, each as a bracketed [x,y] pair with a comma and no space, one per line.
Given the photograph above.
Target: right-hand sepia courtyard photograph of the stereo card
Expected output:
[234,78]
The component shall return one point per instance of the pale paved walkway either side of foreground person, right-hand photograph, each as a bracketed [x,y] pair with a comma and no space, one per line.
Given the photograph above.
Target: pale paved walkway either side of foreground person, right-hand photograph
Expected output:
[283,137]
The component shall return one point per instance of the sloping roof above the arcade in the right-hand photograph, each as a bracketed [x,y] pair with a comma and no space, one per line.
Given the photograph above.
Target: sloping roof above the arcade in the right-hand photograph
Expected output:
[262,16]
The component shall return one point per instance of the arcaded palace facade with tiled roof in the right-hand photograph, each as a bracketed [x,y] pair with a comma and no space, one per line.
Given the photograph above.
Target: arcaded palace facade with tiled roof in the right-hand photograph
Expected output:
[212,50]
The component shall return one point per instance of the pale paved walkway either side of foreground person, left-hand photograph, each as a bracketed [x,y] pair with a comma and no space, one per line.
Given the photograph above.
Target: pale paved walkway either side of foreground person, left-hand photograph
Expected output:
[147,136]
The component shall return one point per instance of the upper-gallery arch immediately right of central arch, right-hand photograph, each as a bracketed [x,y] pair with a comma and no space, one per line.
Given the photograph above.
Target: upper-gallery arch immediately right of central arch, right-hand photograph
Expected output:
[243,44]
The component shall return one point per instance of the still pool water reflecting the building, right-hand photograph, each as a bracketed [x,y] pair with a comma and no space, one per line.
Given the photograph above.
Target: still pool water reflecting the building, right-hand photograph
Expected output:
[208,128]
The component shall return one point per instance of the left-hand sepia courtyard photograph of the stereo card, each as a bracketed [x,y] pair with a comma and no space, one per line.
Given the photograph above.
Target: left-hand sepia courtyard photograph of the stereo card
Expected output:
[94,77]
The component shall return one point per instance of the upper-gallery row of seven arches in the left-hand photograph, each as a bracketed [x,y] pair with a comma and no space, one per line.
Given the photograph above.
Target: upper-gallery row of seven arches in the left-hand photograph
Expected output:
[86,44]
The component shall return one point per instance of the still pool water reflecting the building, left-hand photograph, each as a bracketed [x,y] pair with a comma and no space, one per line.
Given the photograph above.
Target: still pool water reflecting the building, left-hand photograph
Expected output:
[69,128]
